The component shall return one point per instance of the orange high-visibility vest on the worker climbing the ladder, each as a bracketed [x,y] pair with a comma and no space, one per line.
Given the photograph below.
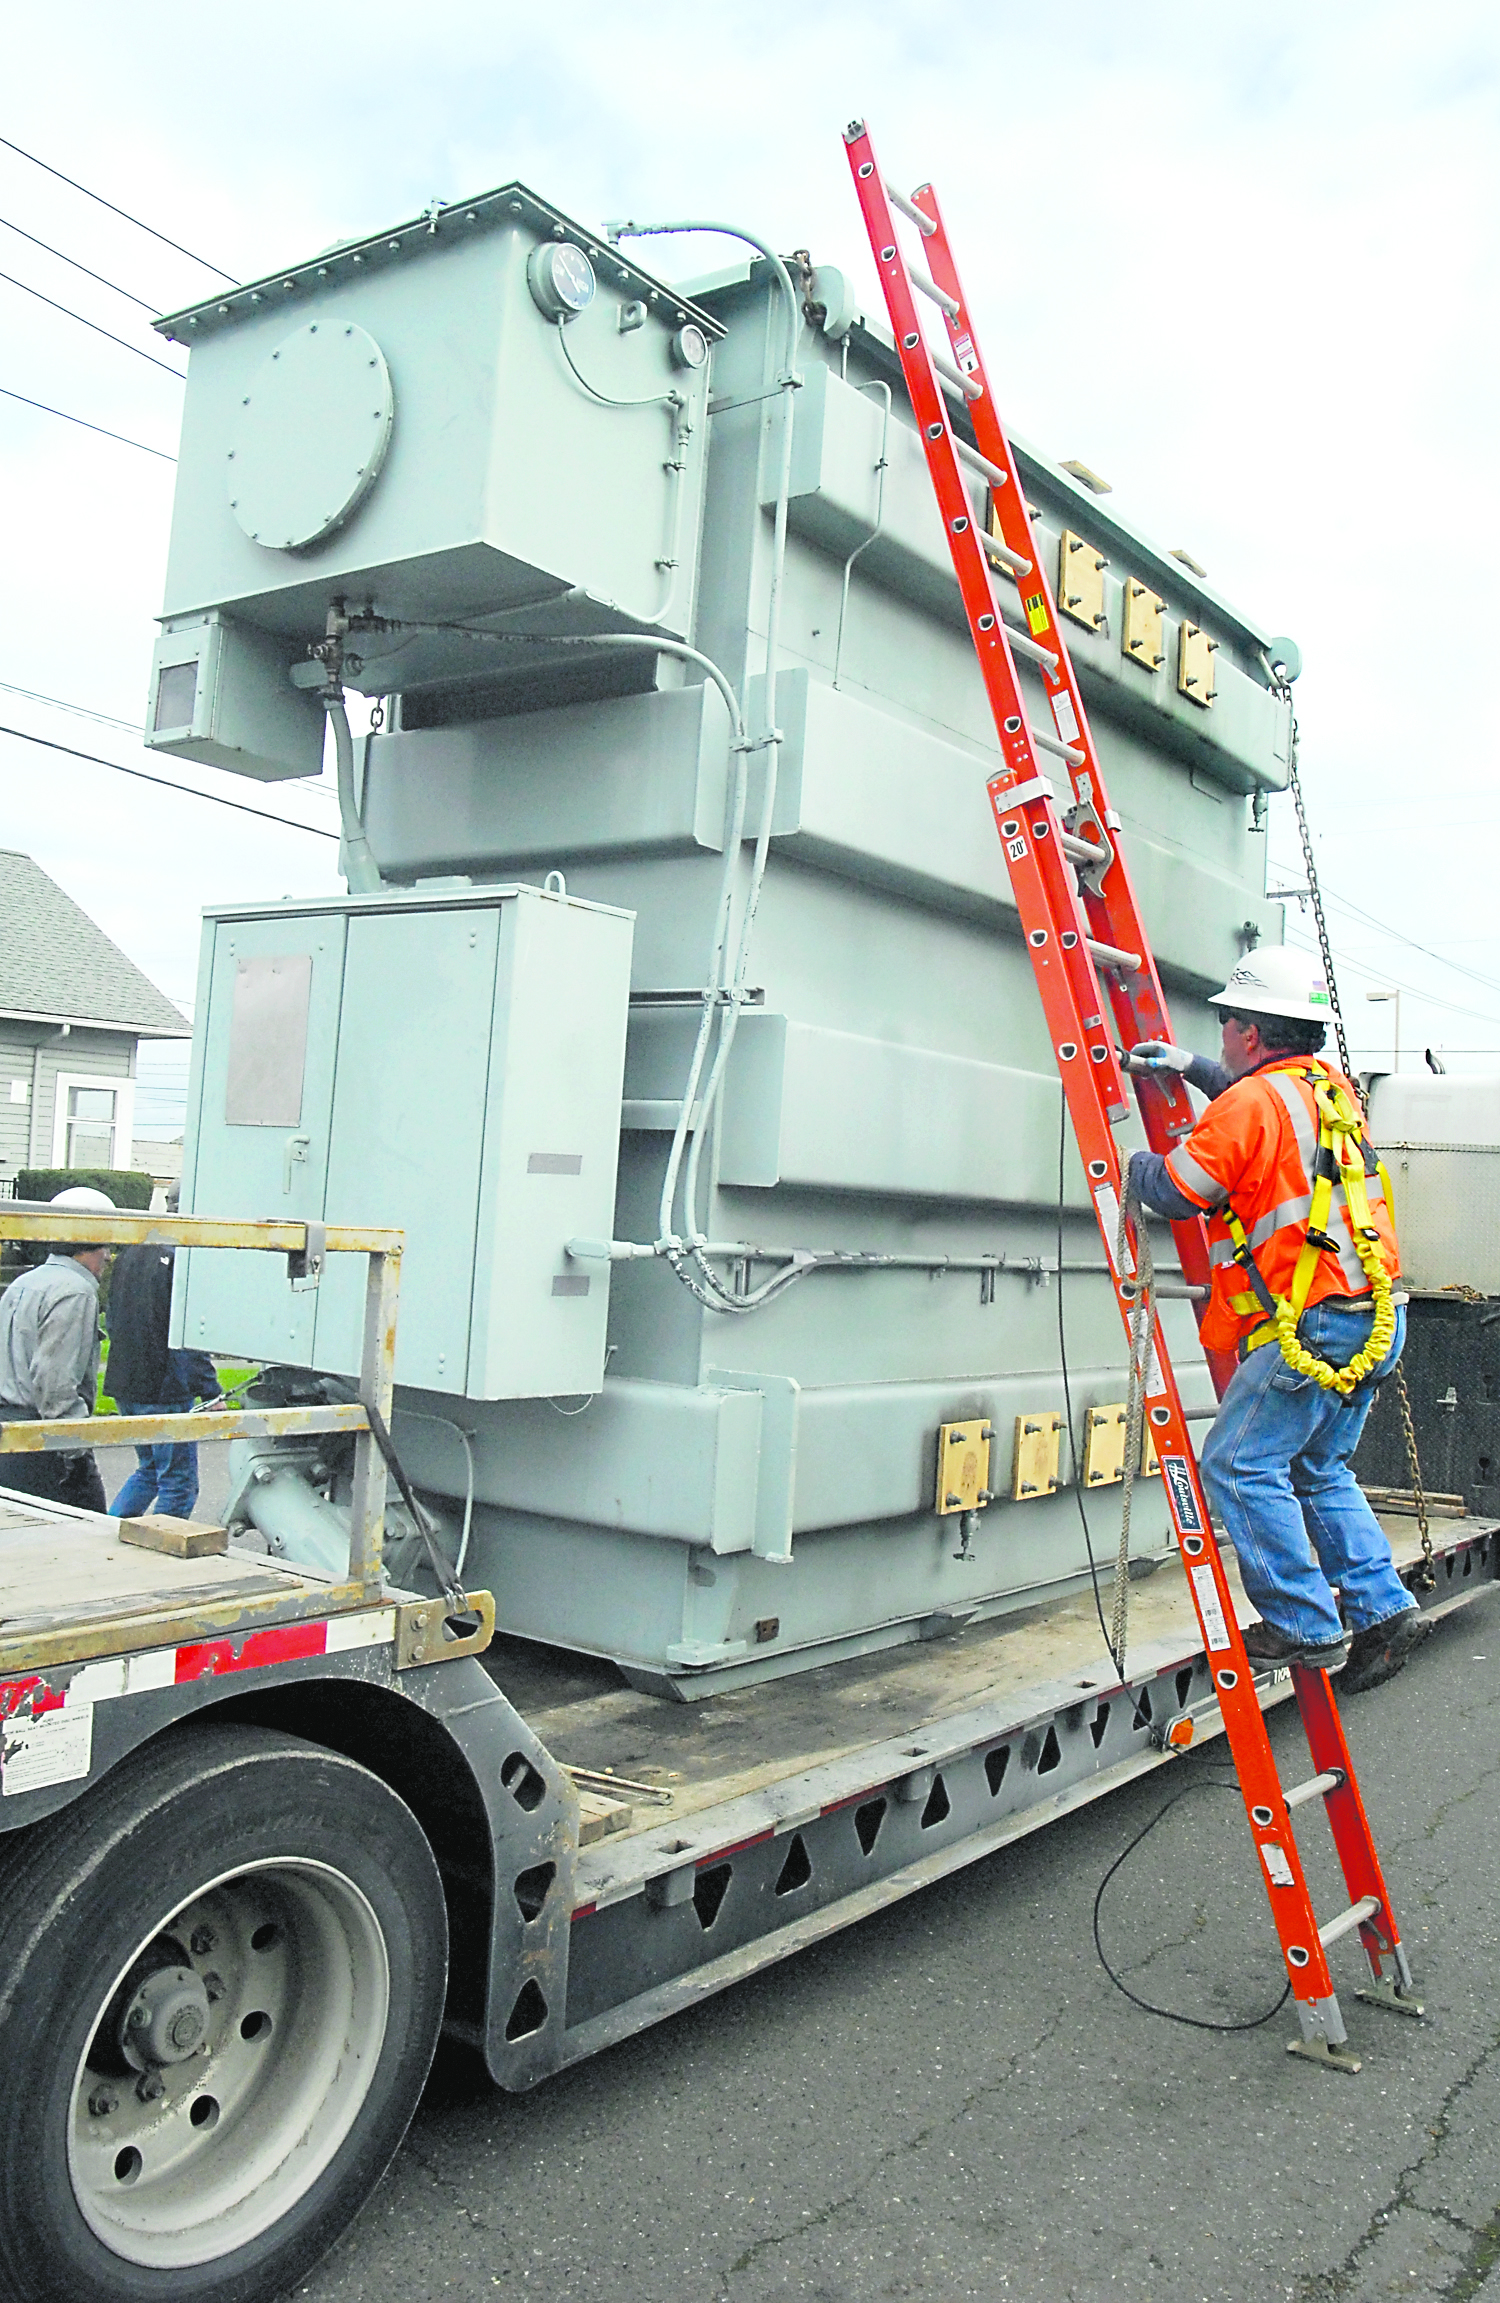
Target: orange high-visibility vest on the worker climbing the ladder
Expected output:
[1255,1153]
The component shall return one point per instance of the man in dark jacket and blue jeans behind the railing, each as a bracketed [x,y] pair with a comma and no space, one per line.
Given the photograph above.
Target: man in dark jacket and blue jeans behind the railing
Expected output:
[149,1378]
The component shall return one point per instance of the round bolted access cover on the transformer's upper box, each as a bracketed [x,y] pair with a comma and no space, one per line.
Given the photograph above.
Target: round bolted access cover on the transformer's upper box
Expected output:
[312,436]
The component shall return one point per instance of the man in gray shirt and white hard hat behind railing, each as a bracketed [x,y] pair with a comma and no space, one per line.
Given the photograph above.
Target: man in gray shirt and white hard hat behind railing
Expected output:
[50,1362]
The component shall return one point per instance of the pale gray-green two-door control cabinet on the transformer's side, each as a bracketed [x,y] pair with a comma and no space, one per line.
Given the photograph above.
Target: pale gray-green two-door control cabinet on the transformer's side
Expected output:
[441,1063]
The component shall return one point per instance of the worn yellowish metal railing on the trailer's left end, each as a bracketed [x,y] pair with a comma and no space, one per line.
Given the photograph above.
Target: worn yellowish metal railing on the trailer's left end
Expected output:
[305,1245]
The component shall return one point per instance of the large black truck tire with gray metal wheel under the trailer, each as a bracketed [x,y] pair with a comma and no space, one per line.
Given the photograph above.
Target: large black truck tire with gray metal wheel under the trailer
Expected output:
[222,1979]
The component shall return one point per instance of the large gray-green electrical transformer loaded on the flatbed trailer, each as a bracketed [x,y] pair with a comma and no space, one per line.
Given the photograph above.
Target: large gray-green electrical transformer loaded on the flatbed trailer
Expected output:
[679,1008]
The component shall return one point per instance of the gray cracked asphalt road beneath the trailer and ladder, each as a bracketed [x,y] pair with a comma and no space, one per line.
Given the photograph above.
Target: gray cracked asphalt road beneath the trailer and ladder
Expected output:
[953,2101]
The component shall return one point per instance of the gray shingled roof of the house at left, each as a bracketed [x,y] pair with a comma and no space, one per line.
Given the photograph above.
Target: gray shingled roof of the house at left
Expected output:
[56,964]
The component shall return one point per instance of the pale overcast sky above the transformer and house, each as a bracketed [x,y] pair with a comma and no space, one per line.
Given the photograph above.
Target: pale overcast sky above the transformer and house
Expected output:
[1238,261]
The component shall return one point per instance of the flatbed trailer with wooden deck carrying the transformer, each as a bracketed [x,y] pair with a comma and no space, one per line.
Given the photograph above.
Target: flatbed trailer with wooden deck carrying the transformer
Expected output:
[266,1834]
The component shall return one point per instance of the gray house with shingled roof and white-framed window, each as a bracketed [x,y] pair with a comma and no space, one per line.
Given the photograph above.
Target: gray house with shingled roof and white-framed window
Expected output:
[73,1012]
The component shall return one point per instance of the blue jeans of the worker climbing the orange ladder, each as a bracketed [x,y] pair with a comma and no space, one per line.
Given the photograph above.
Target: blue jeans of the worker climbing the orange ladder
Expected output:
[1278,1475]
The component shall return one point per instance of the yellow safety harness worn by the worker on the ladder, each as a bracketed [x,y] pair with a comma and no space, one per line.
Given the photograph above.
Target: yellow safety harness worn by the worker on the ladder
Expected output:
[1344,1160]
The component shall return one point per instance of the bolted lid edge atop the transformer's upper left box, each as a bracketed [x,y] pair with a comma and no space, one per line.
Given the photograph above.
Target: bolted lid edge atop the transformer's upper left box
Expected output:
[421,236]
